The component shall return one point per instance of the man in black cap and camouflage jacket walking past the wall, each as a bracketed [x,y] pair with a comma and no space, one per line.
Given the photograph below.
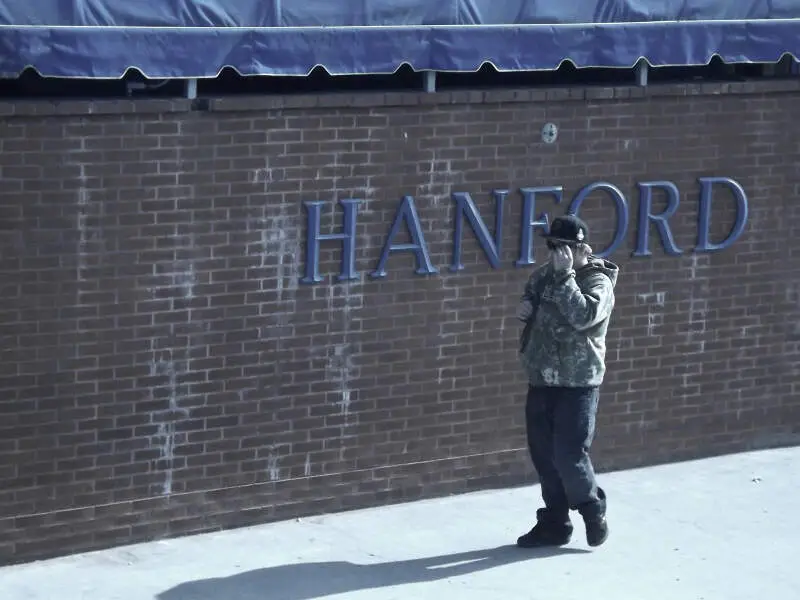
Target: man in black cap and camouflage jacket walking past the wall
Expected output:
[566,307]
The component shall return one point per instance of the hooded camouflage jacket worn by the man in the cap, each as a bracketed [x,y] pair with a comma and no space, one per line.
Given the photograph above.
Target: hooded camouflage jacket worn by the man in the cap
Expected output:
[564,341]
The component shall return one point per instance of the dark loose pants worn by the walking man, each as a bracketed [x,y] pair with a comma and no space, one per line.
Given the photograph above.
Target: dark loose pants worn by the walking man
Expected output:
[560,425]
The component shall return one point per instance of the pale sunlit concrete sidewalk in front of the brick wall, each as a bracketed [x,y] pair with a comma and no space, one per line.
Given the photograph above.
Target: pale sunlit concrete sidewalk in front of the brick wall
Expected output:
[720,529]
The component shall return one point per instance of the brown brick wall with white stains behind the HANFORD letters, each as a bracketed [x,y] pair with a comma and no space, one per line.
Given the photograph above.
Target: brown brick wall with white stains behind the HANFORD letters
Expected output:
[164,371]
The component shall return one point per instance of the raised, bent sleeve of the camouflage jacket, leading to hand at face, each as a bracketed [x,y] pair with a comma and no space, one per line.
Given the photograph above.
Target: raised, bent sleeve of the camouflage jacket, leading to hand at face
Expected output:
[584,309]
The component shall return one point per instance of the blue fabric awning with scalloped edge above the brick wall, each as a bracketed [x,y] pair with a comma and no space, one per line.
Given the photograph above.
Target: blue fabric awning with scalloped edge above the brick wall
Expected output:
[198,38]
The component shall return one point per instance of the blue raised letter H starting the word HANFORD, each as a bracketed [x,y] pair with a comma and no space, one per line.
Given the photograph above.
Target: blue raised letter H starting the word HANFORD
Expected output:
[314,237]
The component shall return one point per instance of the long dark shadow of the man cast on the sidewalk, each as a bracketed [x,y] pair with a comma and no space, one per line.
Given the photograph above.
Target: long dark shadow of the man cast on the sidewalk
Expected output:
[306,581]
